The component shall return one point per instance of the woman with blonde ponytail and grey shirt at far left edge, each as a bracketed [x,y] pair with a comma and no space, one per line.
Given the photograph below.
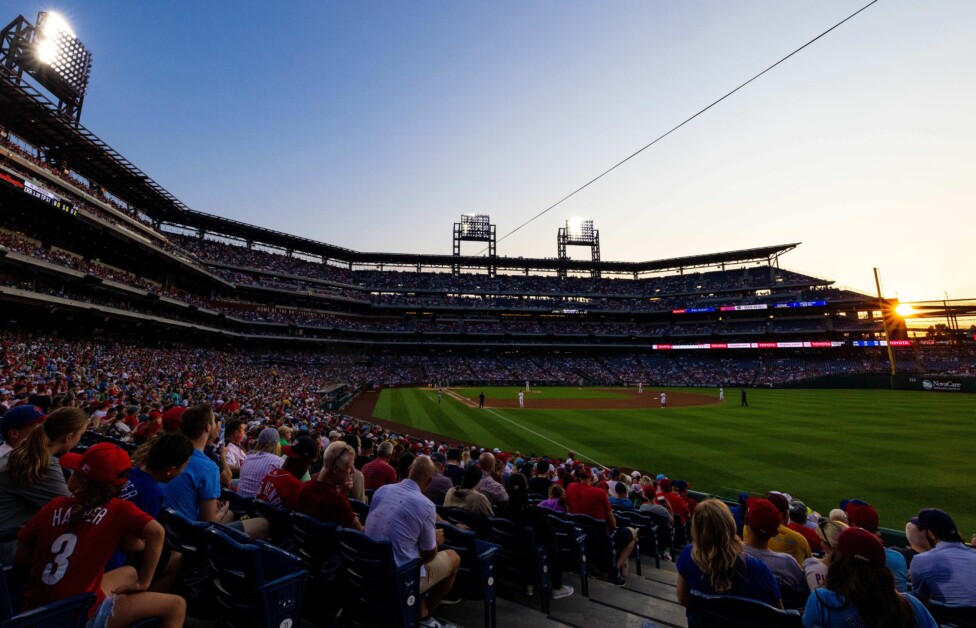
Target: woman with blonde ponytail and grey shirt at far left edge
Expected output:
[30,475]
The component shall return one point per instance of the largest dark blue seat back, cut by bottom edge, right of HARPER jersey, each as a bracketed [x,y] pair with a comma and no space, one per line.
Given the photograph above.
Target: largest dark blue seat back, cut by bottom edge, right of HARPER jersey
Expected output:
[257,583]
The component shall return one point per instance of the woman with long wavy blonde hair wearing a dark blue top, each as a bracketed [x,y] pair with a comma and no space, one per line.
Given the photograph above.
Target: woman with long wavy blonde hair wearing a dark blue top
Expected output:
[714,562]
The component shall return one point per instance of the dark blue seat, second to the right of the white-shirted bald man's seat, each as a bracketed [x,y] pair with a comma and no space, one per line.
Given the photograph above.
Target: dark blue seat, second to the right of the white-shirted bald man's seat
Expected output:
[520,558]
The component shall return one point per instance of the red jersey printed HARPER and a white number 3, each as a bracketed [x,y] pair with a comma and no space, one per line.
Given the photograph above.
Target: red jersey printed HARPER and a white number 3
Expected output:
[67,561]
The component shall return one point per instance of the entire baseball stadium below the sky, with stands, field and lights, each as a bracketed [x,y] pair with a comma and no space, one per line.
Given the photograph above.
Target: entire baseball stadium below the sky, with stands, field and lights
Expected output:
[714,377]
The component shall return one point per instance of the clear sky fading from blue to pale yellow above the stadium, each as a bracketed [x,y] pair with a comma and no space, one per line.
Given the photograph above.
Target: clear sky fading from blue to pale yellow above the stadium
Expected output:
[374,125]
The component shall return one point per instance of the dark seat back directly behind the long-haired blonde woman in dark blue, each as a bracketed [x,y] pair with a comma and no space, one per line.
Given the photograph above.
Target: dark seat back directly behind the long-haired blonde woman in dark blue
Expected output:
[730,611]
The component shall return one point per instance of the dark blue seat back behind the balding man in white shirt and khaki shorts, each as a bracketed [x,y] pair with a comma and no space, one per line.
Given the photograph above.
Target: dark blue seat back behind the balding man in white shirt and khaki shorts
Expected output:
[376,588]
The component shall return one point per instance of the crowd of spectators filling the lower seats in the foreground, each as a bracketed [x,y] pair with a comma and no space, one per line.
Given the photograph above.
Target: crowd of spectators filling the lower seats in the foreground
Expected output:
[210,420]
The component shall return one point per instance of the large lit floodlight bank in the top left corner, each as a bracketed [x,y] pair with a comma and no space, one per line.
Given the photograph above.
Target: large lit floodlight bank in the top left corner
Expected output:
[49,51]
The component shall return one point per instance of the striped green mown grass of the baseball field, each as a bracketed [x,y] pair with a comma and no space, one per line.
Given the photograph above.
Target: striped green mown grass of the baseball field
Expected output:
[898,450]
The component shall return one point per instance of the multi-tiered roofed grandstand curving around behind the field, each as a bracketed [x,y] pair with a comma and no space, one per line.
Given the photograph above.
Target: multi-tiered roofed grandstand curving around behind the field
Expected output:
[90,242]
